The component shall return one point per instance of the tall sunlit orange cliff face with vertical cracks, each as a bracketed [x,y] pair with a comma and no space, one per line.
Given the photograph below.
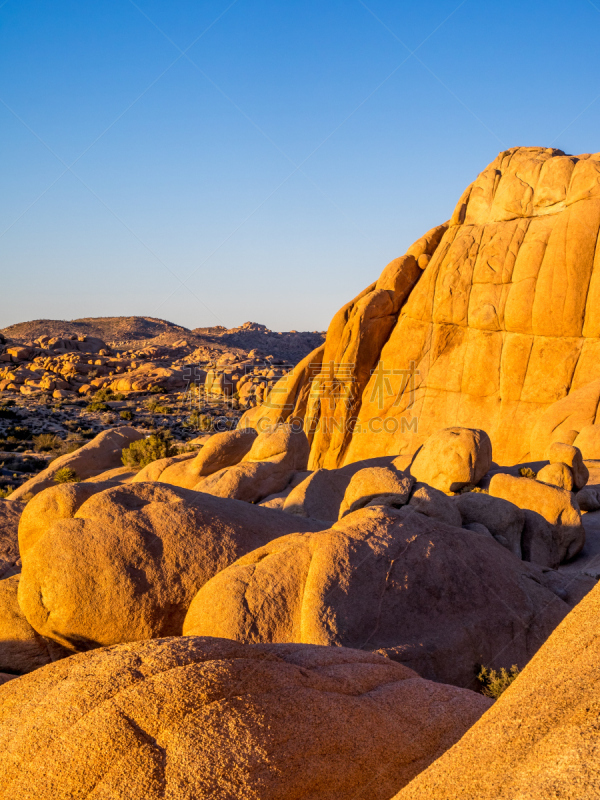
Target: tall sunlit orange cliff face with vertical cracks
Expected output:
[489,321]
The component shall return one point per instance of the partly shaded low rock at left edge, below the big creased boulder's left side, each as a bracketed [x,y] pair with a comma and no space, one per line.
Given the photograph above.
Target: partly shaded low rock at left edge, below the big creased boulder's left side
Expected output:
[21,648]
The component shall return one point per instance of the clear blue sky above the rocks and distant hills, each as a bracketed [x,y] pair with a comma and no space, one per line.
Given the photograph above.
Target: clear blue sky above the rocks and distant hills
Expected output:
[273,155]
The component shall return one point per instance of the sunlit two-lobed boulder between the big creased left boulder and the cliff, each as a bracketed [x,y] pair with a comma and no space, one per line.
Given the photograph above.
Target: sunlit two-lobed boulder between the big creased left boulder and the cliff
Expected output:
[268,467]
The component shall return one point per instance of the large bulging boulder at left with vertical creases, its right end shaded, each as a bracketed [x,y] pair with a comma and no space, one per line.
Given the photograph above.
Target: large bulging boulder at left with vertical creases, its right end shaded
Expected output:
[128,562]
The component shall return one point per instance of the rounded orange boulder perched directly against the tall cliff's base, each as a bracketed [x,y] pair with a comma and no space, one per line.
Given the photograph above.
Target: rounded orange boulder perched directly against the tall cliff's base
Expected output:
[452,459]
